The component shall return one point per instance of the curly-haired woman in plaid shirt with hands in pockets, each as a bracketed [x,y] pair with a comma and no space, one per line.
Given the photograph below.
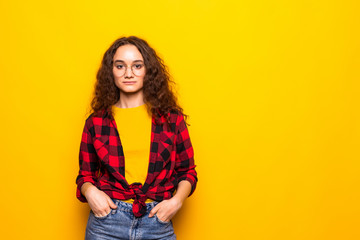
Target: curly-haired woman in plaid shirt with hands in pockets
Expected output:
[134,186]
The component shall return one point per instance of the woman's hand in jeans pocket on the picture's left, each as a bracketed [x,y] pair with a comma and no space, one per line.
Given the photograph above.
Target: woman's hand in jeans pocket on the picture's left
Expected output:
[99,202]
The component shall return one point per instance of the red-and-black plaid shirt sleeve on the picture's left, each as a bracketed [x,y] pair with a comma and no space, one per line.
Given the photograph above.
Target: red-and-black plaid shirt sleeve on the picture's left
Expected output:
[88,162]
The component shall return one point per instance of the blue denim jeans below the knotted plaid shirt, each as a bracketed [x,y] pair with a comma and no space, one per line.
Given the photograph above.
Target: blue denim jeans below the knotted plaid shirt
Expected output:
[121,224]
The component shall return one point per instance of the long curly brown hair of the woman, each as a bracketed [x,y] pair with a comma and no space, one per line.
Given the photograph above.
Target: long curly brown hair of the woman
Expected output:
[157,87]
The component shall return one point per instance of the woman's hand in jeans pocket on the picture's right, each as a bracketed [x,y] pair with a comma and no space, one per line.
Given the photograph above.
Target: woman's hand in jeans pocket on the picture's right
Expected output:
[166,209]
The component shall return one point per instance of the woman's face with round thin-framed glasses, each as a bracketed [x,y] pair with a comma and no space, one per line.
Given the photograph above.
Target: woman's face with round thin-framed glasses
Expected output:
[128,69]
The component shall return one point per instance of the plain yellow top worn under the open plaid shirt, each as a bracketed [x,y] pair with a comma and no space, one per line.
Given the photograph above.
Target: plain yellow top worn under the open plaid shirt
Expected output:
[134,127]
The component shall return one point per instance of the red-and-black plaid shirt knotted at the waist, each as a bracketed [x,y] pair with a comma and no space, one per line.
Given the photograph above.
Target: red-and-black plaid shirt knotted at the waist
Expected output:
[102,162]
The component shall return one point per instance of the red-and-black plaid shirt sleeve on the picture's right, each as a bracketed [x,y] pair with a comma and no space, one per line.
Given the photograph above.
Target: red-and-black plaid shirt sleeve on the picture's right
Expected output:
[184,165]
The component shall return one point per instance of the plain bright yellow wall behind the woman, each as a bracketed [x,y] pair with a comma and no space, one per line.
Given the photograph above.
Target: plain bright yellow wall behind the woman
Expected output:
[271,87]
